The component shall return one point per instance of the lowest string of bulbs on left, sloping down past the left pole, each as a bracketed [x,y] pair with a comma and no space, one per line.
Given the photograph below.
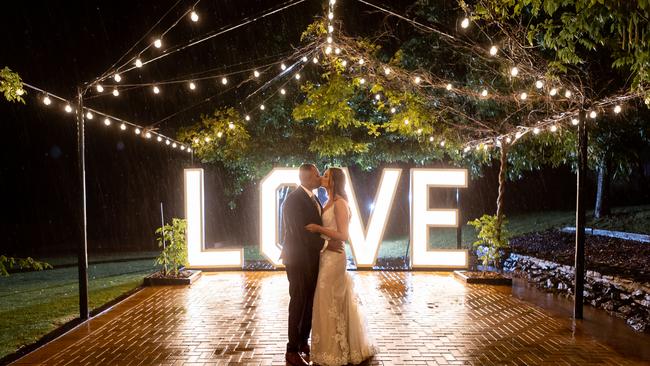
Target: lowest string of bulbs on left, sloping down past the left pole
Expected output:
[108,120]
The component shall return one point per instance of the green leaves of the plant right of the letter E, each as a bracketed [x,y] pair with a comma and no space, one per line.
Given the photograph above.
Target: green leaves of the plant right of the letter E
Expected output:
[492,238]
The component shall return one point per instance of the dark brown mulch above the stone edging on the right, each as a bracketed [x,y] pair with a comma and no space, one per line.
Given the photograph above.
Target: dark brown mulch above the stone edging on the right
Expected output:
[609,256]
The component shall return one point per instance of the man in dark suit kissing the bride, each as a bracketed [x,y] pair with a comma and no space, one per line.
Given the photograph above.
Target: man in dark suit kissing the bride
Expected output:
[300,256]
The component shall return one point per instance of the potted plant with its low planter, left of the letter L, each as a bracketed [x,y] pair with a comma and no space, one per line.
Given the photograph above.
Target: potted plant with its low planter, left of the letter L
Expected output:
[172,259]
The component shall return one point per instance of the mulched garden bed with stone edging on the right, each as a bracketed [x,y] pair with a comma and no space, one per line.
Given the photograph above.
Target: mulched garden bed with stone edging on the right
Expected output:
[617,277]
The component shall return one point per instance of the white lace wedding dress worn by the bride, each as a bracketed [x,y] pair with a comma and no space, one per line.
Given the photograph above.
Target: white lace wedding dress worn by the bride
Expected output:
[339,334]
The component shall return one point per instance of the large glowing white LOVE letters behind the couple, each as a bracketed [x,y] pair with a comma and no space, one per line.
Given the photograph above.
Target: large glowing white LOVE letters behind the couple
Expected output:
[363,241]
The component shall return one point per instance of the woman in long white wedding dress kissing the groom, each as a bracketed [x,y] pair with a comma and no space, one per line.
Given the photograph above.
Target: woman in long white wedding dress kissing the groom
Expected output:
[339,334]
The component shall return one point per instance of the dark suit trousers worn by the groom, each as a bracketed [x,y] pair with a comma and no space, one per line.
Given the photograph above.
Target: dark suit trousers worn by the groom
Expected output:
[302,286]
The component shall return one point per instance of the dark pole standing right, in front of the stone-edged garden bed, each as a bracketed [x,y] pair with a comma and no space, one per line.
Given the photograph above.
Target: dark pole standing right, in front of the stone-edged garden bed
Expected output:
[580,220]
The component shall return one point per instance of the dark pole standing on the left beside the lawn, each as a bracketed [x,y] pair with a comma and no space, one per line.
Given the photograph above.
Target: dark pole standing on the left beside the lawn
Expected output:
[82,259]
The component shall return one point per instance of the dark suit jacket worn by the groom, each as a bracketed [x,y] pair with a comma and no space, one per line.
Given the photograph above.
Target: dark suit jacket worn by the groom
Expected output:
[299,246]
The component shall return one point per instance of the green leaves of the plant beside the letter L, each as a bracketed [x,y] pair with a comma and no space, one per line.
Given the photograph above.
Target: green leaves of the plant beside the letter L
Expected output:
[174,243]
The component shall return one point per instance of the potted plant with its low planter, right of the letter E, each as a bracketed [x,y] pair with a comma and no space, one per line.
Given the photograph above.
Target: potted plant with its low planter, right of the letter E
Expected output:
[493,241]
